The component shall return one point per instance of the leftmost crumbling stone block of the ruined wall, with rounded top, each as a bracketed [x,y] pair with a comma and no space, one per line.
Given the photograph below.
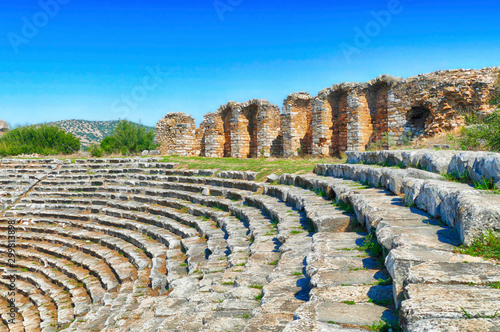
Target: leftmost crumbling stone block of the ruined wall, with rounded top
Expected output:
[176,132]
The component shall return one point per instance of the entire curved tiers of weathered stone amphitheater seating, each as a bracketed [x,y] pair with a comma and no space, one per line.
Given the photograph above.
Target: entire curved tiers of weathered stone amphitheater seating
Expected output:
[140,245]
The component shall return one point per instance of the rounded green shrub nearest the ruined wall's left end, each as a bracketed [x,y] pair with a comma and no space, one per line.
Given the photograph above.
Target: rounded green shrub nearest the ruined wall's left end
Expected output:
[129,138]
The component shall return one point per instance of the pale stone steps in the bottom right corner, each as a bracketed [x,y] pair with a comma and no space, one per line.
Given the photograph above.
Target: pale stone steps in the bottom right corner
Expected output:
[466,293]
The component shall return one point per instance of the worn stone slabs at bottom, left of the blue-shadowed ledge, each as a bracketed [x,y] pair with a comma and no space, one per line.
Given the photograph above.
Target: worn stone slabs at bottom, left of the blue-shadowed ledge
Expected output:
[343,275]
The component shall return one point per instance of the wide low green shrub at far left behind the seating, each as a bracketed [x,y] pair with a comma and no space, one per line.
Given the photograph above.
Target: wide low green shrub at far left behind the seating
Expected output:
[44,140]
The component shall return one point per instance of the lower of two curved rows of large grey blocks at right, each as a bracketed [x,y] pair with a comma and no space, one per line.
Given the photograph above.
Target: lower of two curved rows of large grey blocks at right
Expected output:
[470,211]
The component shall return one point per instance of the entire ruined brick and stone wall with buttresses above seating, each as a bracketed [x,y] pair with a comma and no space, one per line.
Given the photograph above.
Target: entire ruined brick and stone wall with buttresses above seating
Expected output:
[344,117]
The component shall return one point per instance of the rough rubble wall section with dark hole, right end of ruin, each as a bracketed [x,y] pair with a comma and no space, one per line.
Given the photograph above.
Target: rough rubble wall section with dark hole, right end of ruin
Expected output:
[434,103]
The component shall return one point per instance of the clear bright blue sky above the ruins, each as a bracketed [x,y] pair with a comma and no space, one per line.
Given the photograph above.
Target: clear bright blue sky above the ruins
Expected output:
[83,59]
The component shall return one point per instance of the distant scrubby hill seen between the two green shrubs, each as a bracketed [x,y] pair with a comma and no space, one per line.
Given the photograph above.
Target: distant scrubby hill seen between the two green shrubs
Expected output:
[88,131]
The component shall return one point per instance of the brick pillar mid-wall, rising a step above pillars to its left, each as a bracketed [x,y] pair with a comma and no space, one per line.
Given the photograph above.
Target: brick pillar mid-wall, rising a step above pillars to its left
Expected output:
[297,124]
